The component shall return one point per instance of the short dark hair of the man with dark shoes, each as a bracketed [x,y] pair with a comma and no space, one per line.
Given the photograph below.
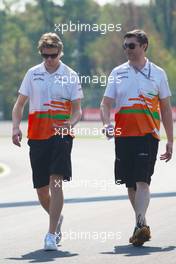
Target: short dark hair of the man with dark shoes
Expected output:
[139,34]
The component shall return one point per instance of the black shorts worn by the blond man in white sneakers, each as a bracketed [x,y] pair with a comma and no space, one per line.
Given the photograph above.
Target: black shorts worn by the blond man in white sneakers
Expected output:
[50,156]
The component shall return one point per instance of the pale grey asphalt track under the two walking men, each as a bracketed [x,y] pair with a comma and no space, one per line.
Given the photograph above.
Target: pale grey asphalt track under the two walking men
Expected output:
[98,218]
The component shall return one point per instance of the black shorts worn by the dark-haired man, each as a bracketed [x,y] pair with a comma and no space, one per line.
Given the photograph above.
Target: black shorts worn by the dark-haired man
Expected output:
[135,159]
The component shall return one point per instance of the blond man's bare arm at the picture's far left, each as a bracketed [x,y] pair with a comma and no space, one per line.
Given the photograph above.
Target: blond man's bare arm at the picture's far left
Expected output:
[17,114]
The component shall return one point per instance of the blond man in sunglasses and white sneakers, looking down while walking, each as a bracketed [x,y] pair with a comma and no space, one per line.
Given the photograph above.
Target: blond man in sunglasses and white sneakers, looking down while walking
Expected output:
[54,94]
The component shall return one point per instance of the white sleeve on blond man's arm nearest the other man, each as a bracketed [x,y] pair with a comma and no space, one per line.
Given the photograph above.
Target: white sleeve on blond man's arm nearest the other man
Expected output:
[77,92]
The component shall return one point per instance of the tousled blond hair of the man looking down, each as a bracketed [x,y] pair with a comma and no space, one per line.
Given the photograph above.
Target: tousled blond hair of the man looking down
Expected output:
[50,40]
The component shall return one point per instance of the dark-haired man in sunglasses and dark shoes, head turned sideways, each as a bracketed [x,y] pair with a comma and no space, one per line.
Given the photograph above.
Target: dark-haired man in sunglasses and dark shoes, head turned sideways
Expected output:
[142,90]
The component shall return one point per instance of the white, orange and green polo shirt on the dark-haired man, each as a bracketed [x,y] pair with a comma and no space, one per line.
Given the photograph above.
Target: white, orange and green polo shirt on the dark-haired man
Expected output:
[137,95]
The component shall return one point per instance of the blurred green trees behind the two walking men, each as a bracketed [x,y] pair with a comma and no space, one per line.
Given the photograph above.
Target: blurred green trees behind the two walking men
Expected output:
[89,53]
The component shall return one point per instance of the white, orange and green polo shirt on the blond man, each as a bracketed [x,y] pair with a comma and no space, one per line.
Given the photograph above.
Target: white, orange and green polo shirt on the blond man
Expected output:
[50,98]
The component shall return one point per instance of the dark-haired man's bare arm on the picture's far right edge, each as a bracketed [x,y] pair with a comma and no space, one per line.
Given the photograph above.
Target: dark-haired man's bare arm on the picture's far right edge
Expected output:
[166,114]
